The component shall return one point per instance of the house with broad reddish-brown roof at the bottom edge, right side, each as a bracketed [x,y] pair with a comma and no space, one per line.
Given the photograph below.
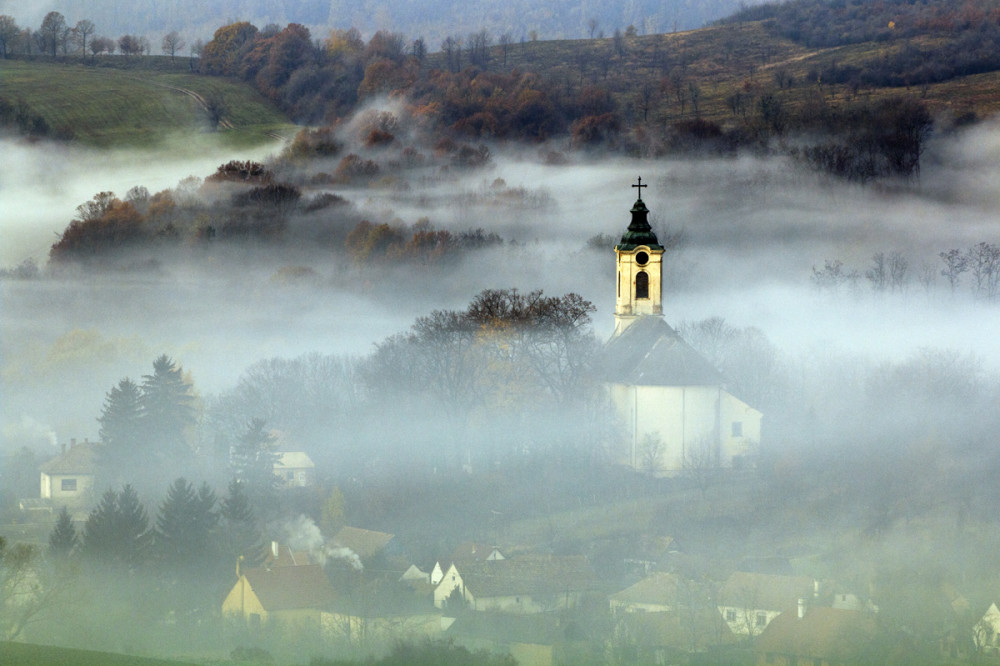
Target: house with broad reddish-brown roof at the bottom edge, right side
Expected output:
[821,636]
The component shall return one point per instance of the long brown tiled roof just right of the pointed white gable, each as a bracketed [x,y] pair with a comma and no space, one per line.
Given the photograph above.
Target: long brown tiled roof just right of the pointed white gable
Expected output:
[528,575]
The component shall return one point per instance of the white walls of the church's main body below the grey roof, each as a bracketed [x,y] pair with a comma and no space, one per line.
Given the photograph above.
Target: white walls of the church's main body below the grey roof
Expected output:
[705,425]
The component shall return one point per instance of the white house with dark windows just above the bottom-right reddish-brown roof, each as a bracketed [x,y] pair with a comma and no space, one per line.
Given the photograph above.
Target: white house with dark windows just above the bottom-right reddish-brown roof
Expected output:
[749,602]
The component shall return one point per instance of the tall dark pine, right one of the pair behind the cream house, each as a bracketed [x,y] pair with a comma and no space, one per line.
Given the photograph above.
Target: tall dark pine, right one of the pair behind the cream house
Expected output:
[168,409]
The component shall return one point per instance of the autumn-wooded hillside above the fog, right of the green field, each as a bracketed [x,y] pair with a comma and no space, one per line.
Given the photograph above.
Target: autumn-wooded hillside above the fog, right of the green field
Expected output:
[869,79]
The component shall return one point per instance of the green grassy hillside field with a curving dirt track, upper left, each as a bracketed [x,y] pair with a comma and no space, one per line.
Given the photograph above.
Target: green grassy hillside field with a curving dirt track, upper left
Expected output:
[105,106]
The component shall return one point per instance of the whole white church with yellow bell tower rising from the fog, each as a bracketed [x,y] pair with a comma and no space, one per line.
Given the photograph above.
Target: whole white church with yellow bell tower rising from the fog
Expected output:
[672,405]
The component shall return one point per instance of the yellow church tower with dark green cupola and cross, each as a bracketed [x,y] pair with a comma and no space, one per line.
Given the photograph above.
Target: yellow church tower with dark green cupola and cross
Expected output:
[640,269]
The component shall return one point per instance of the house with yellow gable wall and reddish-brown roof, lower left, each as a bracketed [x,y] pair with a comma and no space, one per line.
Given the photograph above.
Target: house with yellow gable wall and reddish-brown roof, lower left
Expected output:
[294,595]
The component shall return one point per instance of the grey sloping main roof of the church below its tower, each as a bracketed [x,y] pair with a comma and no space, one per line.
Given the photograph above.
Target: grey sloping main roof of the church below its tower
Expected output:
[650,353]
